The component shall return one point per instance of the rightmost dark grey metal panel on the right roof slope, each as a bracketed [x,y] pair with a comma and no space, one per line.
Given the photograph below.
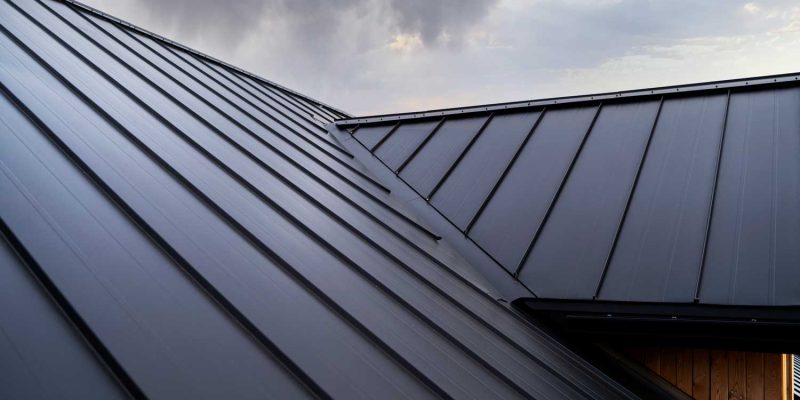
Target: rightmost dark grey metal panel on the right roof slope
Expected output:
[753,256]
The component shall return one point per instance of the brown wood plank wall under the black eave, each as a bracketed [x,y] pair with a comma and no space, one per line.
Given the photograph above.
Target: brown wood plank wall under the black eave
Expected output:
[719,375]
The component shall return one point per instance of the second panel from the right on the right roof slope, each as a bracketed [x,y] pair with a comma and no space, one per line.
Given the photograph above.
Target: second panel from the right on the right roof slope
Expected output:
[673,194]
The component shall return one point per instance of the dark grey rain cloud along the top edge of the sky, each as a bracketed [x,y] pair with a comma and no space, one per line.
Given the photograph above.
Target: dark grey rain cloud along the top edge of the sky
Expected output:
[228,21]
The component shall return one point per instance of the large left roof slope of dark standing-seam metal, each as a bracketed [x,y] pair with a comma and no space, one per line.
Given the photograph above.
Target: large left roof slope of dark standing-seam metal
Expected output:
[180,229]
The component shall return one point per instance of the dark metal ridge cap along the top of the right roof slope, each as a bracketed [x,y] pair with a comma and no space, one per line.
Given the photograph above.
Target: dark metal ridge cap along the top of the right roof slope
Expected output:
[759,81]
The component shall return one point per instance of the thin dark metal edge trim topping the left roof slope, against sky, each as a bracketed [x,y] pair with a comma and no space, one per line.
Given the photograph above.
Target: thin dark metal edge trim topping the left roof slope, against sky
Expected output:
[173,43]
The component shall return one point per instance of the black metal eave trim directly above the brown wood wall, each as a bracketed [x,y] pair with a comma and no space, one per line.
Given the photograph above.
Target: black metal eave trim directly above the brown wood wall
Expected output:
[741,328]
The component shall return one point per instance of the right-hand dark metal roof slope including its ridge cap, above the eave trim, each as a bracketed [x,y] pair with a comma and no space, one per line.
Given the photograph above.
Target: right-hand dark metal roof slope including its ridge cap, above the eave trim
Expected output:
[682,194]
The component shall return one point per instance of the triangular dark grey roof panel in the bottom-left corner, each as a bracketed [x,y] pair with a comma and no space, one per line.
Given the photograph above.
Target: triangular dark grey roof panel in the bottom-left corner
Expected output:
[32,331]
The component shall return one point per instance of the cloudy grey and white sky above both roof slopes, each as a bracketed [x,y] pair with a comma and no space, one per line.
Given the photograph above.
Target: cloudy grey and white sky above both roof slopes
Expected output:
[376,56]
